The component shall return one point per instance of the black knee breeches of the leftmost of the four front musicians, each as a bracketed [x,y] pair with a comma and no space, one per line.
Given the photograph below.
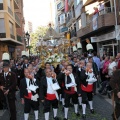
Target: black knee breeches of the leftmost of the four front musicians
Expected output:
[30,104]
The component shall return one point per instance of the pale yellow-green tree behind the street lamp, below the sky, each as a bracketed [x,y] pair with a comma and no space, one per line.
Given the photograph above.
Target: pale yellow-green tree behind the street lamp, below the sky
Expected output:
[41,31]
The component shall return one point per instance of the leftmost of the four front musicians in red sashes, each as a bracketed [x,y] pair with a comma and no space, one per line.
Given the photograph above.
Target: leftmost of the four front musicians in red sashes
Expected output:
[29,90]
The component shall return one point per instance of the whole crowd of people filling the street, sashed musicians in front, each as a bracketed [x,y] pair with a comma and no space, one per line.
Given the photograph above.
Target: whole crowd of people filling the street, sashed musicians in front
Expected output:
[75,81]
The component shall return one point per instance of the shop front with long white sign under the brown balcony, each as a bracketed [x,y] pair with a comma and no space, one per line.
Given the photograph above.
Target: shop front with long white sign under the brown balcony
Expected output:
[106,43]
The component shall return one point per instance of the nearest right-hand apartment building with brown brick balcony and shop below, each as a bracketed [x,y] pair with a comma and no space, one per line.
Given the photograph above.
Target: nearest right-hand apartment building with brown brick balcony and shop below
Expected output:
[102,28]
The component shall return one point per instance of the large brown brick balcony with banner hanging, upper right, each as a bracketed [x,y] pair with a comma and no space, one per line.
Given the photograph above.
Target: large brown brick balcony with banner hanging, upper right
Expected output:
[104,21]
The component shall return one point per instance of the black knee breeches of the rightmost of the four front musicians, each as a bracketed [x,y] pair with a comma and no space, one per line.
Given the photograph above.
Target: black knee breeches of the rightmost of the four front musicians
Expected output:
[86,96]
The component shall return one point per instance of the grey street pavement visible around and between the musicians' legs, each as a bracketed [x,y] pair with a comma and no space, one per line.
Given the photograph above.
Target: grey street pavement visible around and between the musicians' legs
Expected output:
[103,110]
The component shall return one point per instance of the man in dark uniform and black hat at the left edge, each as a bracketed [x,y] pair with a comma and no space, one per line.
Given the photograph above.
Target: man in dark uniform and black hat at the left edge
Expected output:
[7,88]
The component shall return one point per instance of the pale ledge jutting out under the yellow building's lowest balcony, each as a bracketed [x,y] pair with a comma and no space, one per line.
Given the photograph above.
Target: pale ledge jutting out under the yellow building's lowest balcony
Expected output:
[11,41]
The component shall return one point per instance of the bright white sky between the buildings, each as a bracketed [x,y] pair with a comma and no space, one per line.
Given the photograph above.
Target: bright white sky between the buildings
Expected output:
[38,12]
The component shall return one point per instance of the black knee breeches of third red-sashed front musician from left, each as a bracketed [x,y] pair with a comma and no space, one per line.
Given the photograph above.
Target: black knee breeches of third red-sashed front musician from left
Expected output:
[74,98]
